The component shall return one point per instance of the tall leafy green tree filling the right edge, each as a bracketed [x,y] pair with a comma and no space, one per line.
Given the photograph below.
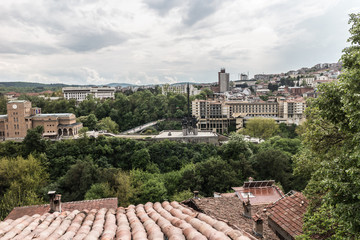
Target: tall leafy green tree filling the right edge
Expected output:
[332,137]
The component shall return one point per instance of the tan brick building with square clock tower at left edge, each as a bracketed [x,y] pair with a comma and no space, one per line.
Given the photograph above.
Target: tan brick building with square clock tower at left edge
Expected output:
[21,116]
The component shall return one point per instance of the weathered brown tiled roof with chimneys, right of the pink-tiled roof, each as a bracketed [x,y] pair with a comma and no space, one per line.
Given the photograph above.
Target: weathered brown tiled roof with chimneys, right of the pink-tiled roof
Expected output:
[230,210]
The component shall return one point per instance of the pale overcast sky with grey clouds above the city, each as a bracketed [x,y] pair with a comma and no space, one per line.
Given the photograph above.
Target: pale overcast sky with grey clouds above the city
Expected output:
[166,41]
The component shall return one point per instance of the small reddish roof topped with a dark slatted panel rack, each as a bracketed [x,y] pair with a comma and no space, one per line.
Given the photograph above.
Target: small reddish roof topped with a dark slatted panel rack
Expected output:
[259,192]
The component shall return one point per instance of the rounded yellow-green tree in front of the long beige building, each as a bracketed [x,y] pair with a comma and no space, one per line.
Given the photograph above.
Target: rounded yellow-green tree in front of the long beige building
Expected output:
[261,128]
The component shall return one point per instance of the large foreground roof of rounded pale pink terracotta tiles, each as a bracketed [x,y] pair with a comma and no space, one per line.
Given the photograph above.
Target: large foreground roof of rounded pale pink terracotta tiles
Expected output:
[149,221]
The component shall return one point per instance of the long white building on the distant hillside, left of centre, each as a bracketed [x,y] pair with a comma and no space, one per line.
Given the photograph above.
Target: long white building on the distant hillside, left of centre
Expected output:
[81,93]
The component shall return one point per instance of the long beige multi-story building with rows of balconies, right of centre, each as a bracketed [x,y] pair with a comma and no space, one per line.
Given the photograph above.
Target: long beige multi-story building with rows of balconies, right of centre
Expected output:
[220,115]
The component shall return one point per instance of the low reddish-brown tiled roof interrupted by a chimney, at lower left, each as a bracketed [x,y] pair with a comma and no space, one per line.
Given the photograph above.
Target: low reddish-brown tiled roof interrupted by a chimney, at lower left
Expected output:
[18,212]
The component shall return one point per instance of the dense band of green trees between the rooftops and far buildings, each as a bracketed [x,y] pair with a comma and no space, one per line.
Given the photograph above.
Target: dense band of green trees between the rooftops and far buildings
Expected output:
[136,171]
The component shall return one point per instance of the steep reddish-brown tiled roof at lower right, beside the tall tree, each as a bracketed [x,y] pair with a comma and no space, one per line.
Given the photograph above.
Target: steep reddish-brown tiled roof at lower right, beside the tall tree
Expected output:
[288,213]
